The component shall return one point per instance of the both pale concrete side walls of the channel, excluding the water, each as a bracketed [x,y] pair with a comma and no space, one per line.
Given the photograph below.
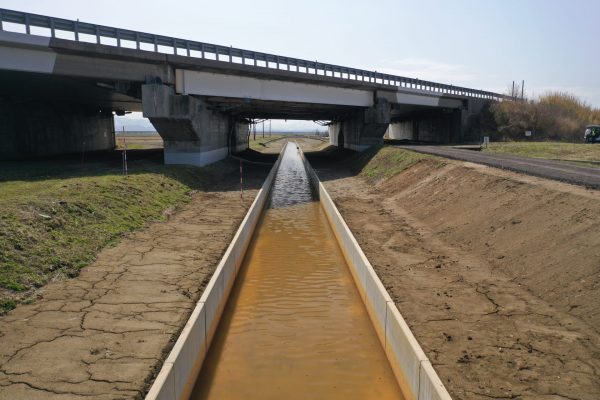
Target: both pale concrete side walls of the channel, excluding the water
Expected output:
[412,369]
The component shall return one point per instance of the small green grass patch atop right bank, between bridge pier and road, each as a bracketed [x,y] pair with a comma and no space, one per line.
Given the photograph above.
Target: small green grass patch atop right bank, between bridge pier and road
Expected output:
[385,162]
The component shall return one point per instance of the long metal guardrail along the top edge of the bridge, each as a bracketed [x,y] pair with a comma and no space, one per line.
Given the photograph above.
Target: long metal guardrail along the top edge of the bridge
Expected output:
[133,39]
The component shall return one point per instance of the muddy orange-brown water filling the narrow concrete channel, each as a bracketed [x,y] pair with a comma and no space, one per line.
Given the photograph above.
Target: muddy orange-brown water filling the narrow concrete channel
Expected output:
[295,326]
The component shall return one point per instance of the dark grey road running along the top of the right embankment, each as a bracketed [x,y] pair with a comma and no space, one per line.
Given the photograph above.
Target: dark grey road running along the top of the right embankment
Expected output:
[550,169]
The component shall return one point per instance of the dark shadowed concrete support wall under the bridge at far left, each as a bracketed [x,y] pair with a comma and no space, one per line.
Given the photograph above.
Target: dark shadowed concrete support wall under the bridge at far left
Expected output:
[39,129]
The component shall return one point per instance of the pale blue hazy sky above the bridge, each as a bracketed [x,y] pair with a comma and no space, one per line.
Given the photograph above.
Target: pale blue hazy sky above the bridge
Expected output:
[553,45]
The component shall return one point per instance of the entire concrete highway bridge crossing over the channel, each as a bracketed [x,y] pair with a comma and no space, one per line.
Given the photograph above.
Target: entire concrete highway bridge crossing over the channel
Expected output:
[61,82]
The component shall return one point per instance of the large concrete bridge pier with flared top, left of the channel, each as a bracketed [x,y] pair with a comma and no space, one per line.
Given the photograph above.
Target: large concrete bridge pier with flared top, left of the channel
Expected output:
[192,133]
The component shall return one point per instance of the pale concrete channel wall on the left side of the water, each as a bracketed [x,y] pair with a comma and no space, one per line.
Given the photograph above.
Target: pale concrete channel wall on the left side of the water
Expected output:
[178,374]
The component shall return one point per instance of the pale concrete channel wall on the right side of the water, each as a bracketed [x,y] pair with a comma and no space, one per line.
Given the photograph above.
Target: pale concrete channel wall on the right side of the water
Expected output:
[413,370]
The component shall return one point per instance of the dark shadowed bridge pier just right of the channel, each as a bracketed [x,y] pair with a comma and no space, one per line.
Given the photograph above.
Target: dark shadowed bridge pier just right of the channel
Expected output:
[363,129]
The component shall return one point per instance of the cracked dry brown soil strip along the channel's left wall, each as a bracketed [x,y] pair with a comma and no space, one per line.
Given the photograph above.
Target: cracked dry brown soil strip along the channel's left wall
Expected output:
[104,334]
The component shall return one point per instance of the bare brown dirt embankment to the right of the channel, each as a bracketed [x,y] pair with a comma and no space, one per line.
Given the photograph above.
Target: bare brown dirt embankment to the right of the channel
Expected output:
[497,274]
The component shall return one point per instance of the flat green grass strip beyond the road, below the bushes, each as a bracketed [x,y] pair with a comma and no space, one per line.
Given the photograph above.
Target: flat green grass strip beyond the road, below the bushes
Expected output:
[580,153]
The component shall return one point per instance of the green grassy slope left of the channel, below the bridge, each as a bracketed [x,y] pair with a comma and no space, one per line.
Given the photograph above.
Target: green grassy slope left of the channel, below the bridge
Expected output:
[53,224]
